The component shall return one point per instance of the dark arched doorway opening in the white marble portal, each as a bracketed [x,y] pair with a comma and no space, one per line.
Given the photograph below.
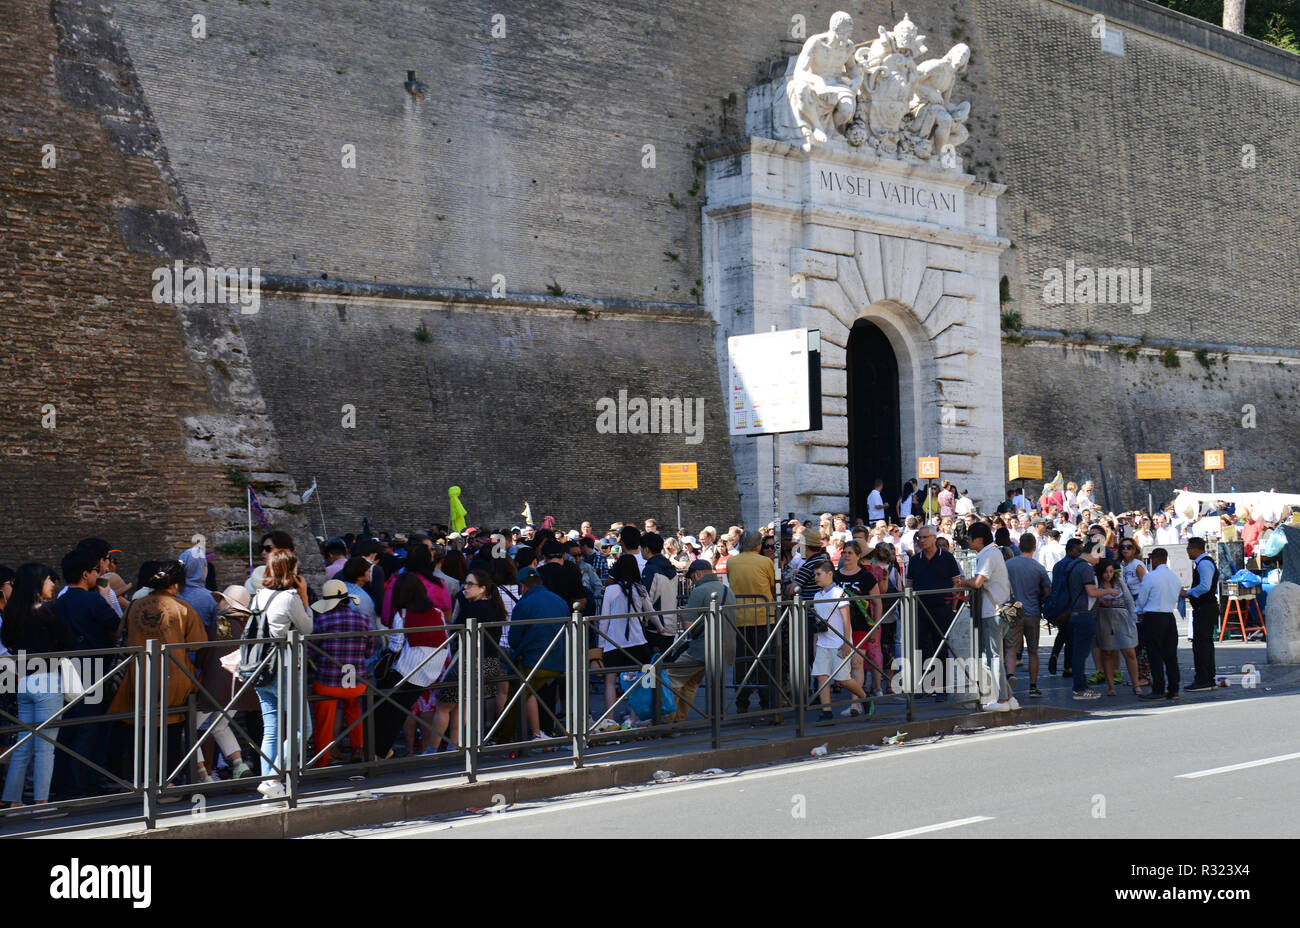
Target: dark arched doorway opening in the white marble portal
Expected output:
[874,435]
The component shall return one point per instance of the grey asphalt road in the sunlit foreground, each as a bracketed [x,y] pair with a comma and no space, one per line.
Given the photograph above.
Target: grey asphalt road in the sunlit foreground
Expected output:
[1134,773]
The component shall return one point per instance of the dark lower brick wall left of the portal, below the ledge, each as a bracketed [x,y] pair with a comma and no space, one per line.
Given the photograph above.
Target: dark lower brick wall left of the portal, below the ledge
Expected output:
[500,404]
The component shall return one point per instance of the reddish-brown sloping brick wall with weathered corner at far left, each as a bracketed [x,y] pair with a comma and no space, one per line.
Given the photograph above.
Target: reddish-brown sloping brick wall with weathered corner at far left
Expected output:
[141,437]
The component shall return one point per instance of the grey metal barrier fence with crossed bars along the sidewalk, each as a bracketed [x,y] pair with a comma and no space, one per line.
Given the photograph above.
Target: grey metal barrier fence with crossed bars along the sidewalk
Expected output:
[684,674]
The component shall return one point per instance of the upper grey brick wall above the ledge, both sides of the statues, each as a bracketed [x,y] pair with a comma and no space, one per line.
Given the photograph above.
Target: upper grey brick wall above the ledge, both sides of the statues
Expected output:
[526,157]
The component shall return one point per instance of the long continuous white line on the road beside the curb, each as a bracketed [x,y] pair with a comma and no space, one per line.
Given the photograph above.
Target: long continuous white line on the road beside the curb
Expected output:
[788,769]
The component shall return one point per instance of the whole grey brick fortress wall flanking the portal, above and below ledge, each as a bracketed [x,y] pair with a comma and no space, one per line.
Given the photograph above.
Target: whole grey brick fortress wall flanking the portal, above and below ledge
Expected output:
[525,159]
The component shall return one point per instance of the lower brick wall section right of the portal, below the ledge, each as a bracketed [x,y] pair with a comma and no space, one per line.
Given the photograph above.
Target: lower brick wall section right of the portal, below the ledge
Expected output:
[1087,411]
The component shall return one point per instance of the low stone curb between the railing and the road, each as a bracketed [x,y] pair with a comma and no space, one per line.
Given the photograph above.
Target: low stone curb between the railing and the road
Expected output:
[353,813]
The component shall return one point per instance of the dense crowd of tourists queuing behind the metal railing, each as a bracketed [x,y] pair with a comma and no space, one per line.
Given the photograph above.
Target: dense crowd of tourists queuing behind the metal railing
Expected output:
[1102,580]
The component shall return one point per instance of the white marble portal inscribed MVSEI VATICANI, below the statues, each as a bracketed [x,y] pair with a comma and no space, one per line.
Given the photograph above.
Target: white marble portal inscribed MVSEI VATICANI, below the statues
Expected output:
[796,240]
